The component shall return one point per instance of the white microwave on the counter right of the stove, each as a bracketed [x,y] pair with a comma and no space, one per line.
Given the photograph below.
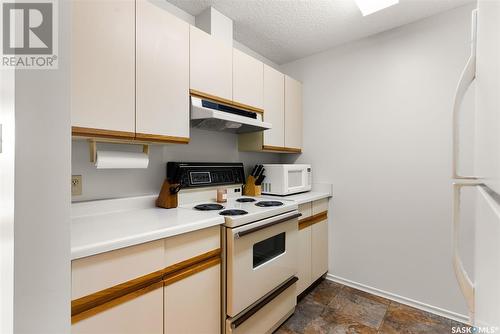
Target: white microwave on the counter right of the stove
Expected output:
[284,179]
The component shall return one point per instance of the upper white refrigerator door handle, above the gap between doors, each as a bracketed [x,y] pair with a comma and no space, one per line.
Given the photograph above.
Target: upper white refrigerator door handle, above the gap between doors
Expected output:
[466,79]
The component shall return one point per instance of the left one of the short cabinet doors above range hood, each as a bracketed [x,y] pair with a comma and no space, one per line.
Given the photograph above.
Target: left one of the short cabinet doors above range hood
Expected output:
[211,65]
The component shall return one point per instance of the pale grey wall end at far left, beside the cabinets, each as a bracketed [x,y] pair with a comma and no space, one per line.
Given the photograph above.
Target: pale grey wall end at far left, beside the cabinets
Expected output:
[42,284]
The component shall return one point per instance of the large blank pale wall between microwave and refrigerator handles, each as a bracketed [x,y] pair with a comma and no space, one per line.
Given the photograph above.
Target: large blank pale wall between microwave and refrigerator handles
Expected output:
[377,124]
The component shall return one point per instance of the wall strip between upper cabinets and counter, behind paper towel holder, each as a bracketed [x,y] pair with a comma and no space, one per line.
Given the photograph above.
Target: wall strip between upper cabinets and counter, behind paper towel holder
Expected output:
[204,145]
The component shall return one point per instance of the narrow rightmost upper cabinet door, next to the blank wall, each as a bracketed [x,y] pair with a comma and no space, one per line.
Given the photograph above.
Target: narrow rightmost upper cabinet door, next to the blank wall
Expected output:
[293,113]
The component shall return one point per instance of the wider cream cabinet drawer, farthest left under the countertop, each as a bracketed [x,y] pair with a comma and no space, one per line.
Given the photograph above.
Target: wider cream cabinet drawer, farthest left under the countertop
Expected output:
[102,271]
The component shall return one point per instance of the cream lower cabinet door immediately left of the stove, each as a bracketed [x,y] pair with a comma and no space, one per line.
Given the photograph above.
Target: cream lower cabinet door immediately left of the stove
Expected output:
[193,304]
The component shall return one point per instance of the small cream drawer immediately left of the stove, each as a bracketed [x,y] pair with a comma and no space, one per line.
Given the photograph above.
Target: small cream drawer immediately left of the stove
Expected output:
[186,246]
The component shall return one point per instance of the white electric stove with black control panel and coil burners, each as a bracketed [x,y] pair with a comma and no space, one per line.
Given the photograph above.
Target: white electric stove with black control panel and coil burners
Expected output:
[260,244]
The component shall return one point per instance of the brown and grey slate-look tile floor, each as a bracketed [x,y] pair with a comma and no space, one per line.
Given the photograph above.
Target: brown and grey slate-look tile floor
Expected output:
[332,308]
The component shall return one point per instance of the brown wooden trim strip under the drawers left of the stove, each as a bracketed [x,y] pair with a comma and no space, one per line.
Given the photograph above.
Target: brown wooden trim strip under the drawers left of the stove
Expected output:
[94,303]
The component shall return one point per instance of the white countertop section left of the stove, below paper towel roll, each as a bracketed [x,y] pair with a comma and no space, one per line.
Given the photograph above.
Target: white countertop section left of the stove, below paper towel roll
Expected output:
[102,226]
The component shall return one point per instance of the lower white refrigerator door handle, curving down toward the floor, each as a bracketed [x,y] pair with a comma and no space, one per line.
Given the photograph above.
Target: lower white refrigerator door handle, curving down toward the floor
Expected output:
[464,281]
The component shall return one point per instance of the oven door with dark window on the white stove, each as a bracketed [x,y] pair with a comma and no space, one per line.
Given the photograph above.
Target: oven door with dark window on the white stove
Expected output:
[260,256]
